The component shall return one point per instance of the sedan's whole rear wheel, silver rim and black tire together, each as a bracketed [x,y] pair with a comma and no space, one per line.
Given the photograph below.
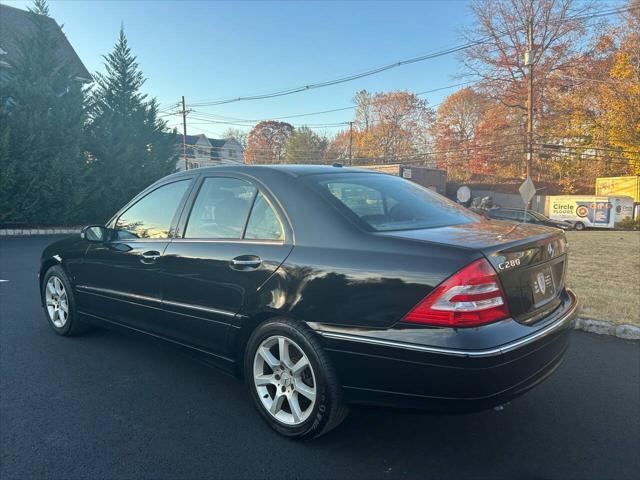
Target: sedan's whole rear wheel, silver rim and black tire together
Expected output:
[292,381]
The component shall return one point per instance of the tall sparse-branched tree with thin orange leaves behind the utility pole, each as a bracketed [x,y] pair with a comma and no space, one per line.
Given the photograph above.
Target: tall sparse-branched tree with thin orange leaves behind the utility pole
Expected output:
[499,38]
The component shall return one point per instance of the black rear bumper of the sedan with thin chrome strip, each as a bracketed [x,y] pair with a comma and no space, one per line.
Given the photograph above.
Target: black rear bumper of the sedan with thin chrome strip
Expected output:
[442,369]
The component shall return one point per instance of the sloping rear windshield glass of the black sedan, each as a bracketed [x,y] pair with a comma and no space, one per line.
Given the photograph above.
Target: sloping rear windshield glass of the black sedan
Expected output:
[384,202]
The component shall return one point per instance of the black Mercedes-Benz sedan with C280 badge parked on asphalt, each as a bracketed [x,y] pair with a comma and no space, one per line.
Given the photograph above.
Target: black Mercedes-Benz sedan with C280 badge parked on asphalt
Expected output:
[323,287]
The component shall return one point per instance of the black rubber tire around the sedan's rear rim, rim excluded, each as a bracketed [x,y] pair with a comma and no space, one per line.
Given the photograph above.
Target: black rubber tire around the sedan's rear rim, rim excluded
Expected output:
[329,410]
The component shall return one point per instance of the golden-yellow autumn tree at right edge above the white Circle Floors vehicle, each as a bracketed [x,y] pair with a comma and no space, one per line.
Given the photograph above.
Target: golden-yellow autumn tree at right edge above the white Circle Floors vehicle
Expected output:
[594,128]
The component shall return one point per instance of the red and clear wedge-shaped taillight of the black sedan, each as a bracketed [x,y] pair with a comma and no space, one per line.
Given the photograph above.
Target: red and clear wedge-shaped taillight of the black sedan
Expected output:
[471,297]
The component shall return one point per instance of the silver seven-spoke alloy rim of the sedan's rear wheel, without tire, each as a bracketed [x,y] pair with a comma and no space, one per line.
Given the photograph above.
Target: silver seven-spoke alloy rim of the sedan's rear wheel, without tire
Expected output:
[284,380]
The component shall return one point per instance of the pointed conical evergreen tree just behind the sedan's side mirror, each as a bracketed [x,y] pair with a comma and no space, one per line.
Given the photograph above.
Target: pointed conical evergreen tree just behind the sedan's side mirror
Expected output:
[128,145]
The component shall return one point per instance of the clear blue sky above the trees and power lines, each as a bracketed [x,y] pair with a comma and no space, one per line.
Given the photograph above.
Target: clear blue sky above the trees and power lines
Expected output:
[216,50]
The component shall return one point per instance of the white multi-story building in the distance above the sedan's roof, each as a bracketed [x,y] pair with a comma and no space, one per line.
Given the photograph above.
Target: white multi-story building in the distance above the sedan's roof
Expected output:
[208,152]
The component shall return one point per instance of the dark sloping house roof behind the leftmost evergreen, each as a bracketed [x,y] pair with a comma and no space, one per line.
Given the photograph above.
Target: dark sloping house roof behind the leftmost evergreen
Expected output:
[16,23]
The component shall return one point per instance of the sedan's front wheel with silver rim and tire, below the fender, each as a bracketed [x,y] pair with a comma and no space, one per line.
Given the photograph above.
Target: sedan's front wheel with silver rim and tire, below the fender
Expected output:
[59,303]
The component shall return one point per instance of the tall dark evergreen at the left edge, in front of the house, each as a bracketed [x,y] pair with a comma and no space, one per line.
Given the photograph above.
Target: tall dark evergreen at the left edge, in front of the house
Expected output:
[41,129]
